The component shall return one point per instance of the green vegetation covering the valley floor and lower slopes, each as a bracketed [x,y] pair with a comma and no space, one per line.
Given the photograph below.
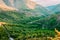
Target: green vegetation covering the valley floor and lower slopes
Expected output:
[23,27]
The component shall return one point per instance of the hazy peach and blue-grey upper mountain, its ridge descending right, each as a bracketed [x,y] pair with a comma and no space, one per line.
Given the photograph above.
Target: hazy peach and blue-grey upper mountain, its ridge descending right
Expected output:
[34,8]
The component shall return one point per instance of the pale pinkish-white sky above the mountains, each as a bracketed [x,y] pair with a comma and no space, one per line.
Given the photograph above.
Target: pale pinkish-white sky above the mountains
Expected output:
[47,2]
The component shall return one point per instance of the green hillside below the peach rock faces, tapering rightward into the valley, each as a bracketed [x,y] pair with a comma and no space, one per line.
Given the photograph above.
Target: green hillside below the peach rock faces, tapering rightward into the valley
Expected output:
[23,16]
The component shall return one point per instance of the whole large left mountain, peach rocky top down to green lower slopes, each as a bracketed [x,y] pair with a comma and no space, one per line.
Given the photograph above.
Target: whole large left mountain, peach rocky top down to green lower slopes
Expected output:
[27,10]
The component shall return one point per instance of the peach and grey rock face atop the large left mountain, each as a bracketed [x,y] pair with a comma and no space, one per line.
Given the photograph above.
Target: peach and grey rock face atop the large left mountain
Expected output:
[17,4]
